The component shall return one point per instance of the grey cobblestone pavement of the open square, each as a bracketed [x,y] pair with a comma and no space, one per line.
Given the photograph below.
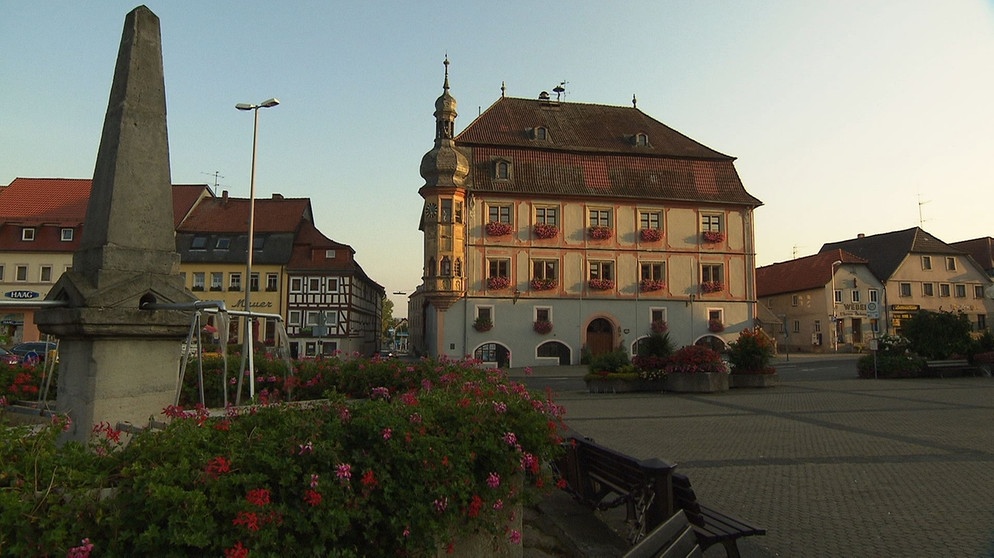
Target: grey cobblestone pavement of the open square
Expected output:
[830,466]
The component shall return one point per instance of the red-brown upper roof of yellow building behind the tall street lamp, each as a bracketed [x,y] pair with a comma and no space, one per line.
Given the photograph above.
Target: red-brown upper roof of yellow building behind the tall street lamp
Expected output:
[230,215]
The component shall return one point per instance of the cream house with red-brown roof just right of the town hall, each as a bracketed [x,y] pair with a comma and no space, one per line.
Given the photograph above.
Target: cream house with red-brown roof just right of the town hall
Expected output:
[825,301]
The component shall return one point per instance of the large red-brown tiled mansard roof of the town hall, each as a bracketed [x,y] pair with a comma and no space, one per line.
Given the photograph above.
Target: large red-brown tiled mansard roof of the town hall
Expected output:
[591,153]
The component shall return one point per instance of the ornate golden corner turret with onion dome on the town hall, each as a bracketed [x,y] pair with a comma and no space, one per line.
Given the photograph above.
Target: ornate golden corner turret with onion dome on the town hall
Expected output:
[444,169]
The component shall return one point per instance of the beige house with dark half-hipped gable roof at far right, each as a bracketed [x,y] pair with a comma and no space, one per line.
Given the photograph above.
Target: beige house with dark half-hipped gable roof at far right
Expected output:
[920,272]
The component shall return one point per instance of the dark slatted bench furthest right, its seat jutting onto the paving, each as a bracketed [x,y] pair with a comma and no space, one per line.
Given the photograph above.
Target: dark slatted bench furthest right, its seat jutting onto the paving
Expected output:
[710,525]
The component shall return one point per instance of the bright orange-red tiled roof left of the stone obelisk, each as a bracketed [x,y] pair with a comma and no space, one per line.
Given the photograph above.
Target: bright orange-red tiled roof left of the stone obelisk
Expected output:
[37,201]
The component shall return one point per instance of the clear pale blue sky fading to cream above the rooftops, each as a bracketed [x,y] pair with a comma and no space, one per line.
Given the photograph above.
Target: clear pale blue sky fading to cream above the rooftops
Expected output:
[846,117]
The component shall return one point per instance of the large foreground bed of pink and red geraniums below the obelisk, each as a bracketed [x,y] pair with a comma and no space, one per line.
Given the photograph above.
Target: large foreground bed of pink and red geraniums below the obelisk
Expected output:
[399,474]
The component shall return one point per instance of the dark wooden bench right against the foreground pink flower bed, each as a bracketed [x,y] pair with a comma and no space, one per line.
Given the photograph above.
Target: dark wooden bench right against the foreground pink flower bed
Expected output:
[603,479]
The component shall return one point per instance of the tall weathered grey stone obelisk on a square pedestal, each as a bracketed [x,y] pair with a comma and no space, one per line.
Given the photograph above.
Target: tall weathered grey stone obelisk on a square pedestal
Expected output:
[118,362]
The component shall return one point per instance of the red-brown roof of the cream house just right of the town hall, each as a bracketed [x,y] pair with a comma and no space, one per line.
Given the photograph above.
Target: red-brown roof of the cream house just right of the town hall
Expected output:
[802,274]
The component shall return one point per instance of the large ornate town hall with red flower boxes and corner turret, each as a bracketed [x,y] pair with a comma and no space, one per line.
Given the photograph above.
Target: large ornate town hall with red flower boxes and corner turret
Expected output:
[554,230]
